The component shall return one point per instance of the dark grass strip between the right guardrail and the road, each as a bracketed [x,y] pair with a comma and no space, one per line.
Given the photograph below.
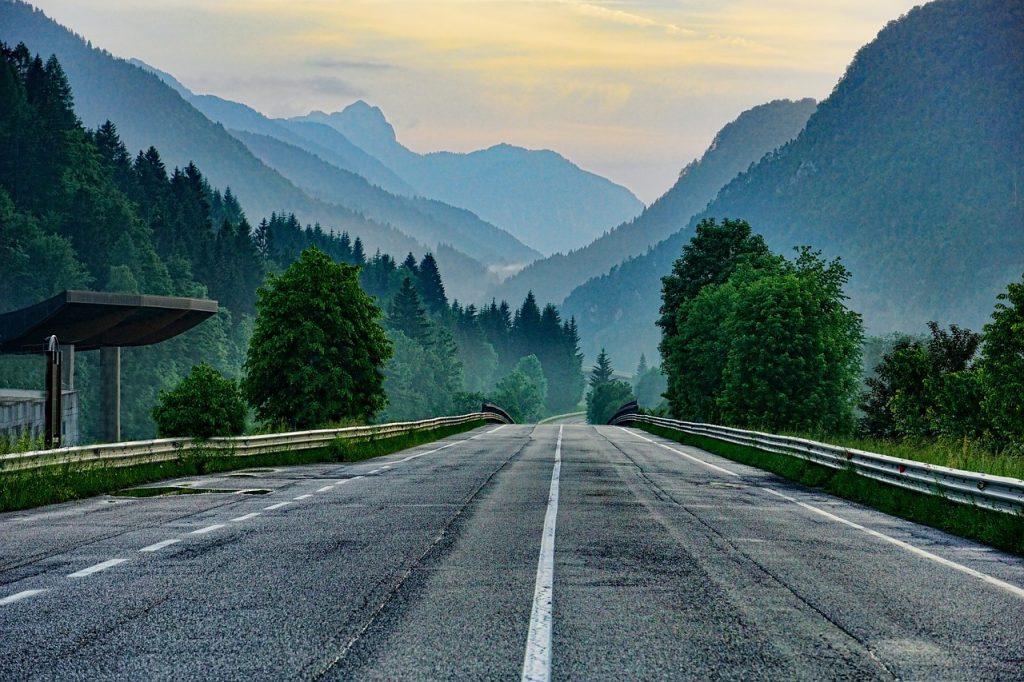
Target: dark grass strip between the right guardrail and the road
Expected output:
[1005,532]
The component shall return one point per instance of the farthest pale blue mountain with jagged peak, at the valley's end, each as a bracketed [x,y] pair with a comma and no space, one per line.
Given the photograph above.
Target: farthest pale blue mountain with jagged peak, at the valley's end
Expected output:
[540,197]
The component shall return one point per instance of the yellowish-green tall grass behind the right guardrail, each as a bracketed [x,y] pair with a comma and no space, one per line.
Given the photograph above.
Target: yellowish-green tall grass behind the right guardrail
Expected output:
[956,454]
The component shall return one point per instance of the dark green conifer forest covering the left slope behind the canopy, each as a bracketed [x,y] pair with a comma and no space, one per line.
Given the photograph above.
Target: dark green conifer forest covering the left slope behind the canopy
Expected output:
[79,211]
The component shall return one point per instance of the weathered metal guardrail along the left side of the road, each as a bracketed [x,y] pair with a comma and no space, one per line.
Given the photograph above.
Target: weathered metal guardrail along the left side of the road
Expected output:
[166,450]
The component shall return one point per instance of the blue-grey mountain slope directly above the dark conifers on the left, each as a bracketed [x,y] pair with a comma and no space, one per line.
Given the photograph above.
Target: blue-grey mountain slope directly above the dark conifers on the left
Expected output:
[148,112]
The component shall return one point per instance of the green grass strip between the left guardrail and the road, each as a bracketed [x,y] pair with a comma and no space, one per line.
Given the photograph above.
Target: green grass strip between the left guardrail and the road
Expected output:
[35,489]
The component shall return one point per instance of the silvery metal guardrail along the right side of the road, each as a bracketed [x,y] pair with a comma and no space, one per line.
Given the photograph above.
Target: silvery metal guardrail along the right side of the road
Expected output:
[997,493]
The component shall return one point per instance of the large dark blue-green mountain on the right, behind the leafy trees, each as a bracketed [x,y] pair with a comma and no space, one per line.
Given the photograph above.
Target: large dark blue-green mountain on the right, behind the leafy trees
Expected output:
[911,172]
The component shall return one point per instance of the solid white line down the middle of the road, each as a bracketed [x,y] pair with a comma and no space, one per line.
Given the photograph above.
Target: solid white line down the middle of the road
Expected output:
[537,661]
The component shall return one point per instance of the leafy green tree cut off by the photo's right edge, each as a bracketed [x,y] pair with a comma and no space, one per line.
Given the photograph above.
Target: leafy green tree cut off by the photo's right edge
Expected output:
[1003,366]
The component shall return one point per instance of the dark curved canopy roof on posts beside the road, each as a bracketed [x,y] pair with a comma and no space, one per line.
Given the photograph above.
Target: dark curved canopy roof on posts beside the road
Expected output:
[92,320]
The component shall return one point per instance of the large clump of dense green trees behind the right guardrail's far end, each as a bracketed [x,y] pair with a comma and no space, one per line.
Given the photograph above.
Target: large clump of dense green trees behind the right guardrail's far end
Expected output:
[752,339]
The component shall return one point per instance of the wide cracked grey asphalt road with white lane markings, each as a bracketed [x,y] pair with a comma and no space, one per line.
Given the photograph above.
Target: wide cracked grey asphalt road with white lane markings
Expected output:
[517,552]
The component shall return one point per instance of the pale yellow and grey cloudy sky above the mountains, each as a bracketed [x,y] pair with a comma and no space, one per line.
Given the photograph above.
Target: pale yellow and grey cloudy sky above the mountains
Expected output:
[629,90]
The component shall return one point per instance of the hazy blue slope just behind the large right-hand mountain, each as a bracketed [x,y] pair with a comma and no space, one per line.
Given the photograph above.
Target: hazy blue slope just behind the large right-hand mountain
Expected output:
[740,144]
